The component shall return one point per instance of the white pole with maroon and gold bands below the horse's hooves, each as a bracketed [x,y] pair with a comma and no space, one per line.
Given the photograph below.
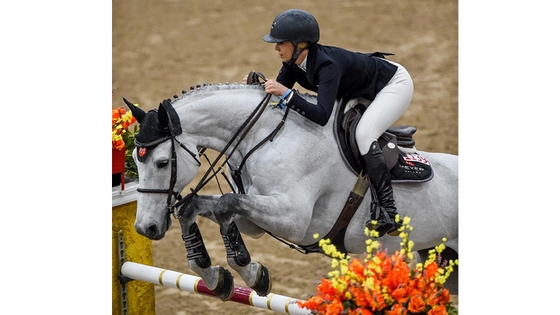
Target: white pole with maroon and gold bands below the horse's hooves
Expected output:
[173,279]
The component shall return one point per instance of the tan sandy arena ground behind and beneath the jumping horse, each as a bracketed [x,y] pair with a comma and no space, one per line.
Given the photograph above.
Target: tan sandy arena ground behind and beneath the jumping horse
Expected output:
[163,47]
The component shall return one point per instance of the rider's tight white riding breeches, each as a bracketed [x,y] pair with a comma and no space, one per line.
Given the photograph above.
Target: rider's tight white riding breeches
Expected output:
[389,104]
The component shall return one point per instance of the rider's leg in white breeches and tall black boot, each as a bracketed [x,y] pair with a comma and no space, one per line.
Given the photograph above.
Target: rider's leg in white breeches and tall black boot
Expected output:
[389,104]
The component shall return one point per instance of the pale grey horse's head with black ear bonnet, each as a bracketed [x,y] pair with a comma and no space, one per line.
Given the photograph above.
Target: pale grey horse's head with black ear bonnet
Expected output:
[158,159]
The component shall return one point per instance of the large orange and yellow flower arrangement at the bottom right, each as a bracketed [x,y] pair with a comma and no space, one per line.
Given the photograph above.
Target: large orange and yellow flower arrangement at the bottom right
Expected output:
[383,284]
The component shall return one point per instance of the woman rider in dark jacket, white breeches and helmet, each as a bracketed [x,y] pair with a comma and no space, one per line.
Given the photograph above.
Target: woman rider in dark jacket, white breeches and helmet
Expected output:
[333,73]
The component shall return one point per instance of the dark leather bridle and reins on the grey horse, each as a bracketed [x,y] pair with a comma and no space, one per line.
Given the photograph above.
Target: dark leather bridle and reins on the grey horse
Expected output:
[178,207]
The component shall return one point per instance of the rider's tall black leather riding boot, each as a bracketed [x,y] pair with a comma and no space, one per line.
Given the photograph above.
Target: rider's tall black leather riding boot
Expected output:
[380,179]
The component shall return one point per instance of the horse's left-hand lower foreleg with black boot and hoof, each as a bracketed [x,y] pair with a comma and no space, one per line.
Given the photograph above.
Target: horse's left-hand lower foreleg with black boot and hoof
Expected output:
[217,278]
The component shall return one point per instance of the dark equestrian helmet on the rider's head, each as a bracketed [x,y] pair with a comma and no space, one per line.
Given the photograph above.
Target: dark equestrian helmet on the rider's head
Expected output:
[293,25]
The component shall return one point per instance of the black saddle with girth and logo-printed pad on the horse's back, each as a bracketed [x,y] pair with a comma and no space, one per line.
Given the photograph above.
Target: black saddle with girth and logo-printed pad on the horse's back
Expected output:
[403,161]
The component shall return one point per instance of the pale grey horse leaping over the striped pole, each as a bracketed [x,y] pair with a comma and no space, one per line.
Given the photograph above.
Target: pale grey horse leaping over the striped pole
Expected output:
[294,181]
